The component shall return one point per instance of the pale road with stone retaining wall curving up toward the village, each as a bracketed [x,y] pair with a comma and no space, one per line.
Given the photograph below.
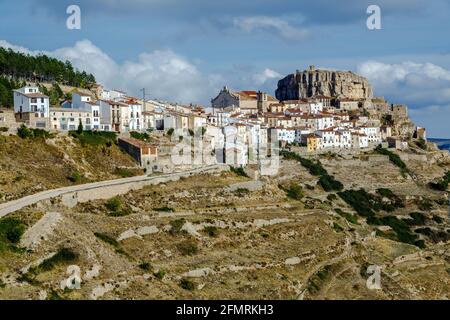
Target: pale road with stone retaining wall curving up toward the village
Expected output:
[12,206]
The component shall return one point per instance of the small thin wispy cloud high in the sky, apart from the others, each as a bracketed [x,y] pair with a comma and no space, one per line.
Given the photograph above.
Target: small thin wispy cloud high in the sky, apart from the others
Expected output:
[281,27]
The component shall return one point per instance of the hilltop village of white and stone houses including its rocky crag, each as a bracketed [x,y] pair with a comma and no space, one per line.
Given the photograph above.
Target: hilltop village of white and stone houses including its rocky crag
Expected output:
[316,111]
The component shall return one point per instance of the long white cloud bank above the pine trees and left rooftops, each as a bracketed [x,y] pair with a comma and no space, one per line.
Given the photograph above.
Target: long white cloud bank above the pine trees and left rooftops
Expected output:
[165,74]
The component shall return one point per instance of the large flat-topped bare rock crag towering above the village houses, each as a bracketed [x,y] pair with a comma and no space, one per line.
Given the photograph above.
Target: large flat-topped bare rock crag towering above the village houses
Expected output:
[313,82]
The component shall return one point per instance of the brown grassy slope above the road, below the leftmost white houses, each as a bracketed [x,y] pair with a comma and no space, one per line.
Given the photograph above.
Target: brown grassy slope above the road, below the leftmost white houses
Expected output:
[28,166]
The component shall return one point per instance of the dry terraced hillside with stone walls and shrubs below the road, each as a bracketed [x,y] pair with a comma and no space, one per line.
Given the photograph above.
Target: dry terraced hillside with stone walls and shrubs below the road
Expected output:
[223,236]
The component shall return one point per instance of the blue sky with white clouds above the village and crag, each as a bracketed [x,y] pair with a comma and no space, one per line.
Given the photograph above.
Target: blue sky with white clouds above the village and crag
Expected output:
[186,51]
